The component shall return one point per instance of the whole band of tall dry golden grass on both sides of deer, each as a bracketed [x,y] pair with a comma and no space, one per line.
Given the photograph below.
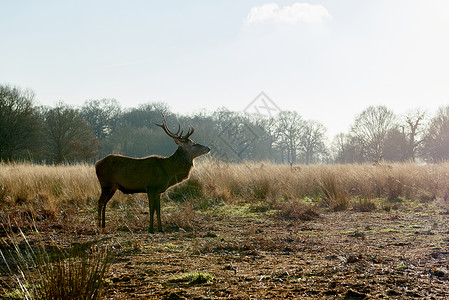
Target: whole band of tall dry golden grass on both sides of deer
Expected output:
[49,192]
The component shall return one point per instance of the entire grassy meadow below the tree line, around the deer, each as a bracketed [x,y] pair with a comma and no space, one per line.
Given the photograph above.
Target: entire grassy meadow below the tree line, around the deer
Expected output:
[232,231]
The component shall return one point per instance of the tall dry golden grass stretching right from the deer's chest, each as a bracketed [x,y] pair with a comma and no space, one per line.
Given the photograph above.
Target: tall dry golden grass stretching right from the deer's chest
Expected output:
[334,185]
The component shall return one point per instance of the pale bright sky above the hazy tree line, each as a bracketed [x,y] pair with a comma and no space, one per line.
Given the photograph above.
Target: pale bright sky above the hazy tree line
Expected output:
[328,60]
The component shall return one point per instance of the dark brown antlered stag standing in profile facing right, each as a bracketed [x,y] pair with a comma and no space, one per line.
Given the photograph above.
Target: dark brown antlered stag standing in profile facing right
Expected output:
[152,175]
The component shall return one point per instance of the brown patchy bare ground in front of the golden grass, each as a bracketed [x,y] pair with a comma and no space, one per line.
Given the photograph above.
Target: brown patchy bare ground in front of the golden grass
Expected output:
[239,254]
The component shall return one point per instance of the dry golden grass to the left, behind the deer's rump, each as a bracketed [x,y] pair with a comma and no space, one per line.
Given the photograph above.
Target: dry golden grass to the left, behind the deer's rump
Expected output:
[54,194]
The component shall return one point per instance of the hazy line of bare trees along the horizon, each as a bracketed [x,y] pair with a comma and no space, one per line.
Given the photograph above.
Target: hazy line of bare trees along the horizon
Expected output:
[65,134]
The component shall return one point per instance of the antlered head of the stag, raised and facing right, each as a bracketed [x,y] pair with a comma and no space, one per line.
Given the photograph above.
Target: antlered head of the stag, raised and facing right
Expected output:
[189,147]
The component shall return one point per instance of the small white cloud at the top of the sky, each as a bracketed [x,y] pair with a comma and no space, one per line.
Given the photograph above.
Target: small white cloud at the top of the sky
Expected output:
[294,14]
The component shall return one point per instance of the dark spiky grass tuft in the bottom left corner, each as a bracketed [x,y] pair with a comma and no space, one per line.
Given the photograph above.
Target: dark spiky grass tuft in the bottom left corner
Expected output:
[44,272]
